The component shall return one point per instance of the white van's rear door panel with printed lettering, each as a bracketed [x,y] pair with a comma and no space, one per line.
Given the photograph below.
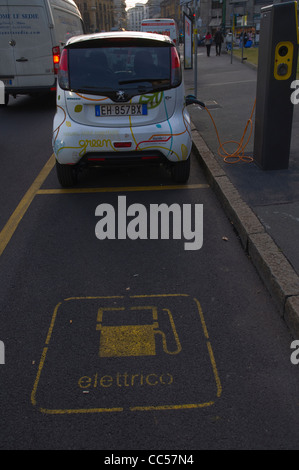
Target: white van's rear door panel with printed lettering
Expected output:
[26,45]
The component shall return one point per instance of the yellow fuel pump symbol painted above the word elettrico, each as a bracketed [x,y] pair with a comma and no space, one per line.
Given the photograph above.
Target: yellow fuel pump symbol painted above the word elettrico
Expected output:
[134,340]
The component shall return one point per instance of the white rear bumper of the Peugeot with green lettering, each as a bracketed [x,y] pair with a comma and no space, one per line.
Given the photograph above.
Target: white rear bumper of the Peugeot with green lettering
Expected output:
[73,143]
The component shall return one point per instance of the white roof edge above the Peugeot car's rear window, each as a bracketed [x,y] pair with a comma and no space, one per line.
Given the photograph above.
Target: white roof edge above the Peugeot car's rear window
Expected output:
[119,35]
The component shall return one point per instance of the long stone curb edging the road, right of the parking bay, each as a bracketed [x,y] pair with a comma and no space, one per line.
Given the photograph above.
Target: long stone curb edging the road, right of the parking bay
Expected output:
[276,272]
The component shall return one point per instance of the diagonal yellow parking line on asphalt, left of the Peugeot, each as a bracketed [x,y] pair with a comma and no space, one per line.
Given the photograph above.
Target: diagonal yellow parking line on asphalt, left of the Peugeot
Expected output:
[14,220]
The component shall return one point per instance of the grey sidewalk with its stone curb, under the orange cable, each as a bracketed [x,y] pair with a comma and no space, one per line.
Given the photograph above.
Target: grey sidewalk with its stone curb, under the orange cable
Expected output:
[262,205]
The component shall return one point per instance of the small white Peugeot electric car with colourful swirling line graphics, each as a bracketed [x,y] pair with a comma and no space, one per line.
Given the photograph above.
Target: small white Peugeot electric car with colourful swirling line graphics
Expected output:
[120,99]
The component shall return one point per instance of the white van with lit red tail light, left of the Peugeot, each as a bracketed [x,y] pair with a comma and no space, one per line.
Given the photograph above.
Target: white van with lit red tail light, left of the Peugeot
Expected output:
[32,34]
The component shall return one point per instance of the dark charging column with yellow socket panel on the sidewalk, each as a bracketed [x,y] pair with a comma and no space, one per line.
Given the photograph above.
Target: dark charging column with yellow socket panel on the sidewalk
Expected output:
[277,63]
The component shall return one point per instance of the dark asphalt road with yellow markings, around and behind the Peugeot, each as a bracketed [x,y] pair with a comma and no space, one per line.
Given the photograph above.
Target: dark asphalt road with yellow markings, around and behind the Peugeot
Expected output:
[123,343]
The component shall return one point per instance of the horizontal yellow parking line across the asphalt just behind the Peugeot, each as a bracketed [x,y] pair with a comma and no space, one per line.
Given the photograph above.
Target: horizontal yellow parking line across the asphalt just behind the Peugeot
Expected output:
[121,189]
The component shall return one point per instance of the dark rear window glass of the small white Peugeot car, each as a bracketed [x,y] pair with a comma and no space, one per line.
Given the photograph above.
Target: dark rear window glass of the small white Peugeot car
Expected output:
[134,69]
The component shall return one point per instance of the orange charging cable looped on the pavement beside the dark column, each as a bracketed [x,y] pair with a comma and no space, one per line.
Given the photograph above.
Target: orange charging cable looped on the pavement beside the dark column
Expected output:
[238,154]
